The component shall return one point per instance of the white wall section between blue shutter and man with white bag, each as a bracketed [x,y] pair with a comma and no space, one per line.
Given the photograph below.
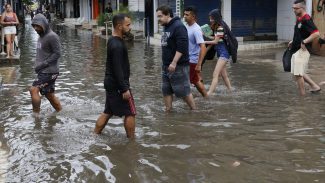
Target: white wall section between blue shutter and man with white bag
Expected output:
[285,20]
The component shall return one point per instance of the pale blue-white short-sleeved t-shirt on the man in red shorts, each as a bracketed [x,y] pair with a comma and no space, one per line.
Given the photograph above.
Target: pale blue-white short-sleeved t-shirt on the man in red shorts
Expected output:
[195,38]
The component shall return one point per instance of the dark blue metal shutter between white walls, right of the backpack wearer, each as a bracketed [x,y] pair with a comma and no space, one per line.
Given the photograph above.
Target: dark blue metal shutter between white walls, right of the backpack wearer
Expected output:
[251,17]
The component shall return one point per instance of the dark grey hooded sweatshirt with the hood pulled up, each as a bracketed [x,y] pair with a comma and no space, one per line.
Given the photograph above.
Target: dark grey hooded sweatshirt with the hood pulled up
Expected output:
[48,48]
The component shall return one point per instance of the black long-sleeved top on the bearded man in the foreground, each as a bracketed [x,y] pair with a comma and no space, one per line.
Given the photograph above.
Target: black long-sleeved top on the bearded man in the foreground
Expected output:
[117,66]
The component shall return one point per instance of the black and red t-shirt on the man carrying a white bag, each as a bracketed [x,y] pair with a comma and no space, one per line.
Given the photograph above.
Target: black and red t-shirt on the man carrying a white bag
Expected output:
[303,29]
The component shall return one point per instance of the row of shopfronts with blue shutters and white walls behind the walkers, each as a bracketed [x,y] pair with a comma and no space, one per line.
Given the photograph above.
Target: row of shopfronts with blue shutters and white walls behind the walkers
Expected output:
[249,19]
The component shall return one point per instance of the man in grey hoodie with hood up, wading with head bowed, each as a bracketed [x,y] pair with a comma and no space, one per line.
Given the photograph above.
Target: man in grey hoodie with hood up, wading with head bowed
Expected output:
[46,64]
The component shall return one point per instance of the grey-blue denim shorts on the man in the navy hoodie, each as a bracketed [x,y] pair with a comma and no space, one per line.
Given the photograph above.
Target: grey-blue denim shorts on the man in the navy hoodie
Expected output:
[177,82]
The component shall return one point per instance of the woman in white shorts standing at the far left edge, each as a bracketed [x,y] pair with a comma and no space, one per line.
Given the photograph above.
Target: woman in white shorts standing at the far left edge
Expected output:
[9,21]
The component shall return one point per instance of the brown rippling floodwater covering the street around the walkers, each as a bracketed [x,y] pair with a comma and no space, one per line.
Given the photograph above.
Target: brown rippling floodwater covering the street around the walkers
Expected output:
[262,132]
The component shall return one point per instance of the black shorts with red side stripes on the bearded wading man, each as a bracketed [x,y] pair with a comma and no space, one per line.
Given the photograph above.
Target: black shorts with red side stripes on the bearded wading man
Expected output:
[115,105]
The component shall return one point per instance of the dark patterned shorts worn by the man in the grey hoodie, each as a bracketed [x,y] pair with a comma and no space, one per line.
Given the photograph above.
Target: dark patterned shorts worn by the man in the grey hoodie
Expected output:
[45,82]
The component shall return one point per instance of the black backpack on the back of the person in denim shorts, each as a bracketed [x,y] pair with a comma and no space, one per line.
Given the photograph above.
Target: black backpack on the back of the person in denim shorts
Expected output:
[231,42]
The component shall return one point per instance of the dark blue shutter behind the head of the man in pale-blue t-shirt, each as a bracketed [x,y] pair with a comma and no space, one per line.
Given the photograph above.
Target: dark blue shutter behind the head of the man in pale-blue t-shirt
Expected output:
[203,7]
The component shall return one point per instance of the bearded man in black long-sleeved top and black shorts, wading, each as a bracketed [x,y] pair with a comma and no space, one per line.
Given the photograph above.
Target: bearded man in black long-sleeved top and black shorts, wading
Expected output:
[119,100]
